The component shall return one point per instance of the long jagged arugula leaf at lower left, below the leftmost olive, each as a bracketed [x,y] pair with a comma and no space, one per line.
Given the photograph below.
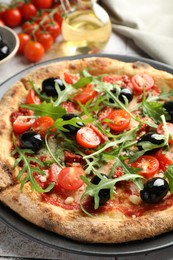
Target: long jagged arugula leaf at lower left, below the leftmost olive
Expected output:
[27,170]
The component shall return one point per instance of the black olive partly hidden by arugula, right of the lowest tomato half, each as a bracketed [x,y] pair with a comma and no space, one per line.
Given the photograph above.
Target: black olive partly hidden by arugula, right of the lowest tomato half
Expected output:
[104,194]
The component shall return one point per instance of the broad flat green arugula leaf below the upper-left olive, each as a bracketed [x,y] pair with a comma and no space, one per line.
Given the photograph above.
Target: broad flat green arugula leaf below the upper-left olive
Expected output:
[46,109]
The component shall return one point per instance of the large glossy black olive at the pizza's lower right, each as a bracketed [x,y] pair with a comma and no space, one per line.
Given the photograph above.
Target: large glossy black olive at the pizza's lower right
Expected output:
[154,190]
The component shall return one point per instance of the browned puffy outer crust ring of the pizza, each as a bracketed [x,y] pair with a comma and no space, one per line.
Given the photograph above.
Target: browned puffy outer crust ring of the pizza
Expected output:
[103,228]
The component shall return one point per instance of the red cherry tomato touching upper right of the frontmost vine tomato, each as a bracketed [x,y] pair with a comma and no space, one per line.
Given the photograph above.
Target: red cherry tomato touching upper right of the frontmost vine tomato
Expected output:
[45,39]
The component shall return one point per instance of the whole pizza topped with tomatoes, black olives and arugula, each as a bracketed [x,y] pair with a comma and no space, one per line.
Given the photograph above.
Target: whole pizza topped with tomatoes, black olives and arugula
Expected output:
[87,149]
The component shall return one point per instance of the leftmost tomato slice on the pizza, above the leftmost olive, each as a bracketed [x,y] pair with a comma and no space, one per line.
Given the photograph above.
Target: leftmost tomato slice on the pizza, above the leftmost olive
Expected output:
[22,124]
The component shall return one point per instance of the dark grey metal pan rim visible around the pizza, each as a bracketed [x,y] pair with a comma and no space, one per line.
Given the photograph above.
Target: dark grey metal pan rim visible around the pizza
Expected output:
[57,242]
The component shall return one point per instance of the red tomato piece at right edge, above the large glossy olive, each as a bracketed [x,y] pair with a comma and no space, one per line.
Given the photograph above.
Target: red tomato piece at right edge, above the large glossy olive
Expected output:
[164,160]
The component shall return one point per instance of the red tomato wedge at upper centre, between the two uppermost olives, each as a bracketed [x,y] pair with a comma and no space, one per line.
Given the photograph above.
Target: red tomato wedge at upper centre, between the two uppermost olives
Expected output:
[85,95]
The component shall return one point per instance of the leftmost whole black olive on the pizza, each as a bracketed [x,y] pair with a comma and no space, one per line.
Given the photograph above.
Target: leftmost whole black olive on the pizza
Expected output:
[31,140]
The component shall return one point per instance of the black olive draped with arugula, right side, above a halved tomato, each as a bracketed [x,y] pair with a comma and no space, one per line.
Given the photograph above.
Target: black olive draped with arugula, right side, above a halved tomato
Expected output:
[150,137]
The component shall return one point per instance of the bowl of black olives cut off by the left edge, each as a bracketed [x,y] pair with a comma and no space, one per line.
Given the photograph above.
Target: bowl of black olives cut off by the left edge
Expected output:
[9,43]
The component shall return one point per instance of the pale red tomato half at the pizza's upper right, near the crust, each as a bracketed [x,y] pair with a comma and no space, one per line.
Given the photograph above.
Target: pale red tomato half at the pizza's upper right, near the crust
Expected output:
[140,81]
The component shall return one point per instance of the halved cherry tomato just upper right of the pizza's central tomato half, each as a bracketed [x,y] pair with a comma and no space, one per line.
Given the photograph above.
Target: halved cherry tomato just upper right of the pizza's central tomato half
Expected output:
[120,120]
